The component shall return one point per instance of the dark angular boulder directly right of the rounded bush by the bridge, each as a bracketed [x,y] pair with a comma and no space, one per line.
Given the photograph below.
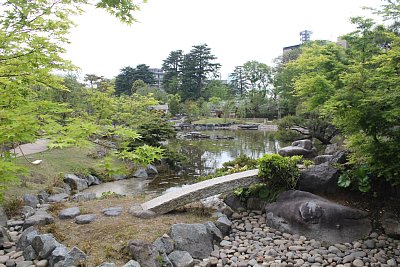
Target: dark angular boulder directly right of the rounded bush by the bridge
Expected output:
[320,178]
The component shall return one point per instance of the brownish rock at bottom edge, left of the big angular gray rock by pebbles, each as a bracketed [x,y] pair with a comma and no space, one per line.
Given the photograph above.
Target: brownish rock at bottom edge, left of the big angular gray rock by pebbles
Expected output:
[146,254]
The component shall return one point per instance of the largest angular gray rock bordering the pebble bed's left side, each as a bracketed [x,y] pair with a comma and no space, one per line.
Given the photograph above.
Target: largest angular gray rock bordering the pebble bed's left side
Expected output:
[193,238]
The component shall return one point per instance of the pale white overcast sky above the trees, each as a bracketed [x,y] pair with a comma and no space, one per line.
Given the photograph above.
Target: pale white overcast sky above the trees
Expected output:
[237,31]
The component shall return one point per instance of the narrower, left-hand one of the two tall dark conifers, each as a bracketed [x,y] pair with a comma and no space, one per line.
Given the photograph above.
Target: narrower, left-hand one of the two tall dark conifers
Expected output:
[172,67]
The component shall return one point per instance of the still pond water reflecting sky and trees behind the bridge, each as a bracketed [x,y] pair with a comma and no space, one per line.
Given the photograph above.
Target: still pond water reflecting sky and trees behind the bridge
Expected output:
[204,156]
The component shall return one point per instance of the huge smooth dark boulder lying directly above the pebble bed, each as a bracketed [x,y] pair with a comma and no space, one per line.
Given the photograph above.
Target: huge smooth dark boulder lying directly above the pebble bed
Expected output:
[303,213]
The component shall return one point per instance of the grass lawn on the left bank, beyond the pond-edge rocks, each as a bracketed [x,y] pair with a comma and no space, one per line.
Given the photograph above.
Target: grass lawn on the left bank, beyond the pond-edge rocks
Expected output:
[55,163]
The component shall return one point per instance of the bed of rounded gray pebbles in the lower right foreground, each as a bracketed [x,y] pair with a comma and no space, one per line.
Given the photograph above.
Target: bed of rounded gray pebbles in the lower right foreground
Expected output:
[253,243]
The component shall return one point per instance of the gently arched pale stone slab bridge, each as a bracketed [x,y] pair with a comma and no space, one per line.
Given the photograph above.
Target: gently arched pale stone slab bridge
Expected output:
[194,192]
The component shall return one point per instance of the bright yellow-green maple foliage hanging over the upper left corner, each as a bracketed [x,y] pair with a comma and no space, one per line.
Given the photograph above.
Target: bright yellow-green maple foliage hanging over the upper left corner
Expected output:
[33,36]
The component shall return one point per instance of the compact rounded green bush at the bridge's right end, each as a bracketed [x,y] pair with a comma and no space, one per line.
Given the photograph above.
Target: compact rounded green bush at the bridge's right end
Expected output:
[279,172]
